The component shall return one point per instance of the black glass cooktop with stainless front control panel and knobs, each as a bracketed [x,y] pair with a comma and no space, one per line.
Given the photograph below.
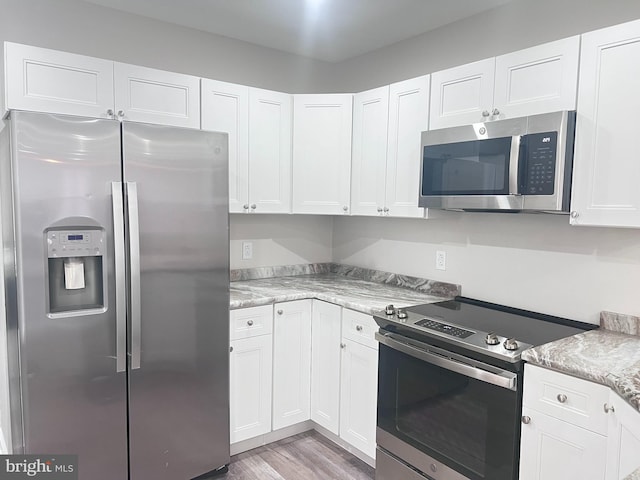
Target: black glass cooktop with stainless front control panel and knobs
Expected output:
[492,330]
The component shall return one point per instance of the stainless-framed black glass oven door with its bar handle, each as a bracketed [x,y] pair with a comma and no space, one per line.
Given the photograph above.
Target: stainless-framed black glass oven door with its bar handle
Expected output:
[443,413]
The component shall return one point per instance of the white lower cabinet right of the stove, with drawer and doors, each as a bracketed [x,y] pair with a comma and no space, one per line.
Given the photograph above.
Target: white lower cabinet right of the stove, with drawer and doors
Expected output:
[573,428]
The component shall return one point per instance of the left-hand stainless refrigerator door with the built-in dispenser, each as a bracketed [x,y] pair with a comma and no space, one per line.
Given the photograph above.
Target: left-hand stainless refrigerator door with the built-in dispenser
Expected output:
[73,397]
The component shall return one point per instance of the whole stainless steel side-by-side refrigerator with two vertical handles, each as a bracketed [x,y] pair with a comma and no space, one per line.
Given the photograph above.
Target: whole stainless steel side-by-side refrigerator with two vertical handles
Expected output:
[117,279]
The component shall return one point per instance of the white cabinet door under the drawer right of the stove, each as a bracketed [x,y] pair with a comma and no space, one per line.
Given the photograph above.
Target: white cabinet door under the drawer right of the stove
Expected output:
[553,449]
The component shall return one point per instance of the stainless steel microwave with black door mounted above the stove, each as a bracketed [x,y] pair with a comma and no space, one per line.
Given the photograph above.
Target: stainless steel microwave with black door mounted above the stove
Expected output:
[520,164]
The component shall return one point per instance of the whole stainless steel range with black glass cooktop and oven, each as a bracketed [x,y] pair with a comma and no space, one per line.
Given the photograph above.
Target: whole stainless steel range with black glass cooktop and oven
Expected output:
[450,388]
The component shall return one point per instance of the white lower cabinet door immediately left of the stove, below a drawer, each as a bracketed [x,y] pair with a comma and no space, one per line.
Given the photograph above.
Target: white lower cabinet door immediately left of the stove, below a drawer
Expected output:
[358,396]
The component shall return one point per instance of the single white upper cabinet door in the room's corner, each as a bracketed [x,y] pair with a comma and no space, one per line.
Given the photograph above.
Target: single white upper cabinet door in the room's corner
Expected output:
[321,153]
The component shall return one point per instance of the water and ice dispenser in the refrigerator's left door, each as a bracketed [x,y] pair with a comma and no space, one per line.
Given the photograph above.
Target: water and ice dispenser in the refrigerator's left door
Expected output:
[76,270]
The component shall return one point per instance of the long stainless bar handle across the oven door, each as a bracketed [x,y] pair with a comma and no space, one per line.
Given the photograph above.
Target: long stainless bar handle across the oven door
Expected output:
[498,378]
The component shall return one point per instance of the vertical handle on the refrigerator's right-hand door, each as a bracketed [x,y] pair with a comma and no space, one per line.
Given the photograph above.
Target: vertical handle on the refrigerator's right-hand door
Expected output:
[134,262]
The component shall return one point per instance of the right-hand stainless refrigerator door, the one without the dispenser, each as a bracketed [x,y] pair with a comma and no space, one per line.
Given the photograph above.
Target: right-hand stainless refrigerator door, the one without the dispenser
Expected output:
[178,397]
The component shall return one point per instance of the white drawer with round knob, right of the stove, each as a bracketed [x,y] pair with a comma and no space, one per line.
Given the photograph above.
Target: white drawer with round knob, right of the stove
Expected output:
[567,398]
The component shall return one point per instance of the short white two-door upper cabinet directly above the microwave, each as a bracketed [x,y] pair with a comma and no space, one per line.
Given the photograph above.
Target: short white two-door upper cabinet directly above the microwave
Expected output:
[535,80]
